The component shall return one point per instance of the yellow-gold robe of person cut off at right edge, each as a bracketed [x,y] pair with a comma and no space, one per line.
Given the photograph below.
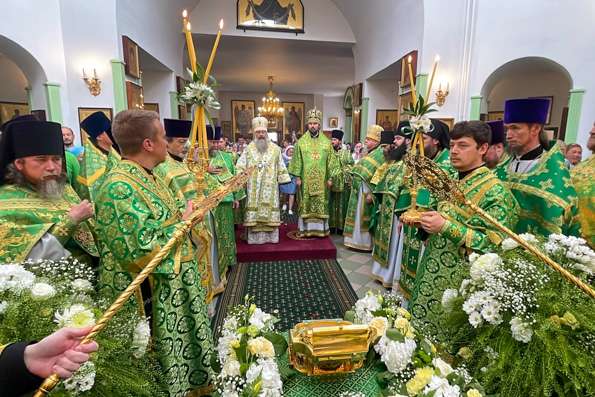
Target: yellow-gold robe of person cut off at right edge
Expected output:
[583,179]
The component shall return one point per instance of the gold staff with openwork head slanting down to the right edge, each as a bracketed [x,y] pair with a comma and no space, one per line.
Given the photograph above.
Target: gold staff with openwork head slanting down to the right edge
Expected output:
[429,174]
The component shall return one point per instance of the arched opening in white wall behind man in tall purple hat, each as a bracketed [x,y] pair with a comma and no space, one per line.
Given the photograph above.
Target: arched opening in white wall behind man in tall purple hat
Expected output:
[529,77]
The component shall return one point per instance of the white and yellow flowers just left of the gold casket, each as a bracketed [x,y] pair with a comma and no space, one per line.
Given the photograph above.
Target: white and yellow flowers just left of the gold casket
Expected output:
[246,352]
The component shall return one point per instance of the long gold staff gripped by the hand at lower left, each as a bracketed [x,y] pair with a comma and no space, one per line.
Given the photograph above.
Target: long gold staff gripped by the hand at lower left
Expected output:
[184,227]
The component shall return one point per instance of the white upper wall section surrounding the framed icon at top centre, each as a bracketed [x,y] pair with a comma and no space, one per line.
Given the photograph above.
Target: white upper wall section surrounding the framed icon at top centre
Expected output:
[322,21]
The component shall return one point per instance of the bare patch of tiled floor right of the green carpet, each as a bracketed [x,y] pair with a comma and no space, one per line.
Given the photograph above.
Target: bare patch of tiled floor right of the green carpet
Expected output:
[357,266]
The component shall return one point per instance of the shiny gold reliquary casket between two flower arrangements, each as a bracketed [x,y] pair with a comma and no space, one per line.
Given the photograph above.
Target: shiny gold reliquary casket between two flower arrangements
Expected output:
[329,347]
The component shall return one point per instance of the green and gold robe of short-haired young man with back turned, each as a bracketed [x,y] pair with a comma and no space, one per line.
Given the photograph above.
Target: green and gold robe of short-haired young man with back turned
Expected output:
[136,216]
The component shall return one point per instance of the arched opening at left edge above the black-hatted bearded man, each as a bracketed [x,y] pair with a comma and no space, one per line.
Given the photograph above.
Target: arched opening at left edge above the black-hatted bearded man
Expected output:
[21,81]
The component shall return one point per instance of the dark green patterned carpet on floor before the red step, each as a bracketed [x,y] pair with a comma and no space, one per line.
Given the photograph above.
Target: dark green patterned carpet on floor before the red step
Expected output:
[300,290]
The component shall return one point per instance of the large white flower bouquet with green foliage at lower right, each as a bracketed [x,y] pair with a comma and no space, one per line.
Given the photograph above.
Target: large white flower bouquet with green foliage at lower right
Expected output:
[521,328]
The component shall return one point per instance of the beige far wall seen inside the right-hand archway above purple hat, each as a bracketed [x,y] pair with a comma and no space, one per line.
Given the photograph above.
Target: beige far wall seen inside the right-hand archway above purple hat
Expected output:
[529,85]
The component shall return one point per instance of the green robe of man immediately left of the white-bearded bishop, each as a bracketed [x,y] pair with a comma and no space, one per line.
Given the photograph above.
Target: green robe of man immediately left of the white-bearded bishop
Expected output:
[224,213]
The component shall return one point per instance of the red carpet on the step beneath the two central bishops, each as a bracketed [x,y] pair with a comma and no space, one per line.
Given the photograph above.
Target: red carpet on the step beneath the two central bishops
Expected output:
[287,249]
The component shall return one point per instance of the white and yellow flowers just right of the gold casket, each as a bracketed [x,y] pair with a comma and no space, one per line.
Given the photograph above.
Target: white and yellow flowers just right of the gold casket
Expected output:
[410,363]
